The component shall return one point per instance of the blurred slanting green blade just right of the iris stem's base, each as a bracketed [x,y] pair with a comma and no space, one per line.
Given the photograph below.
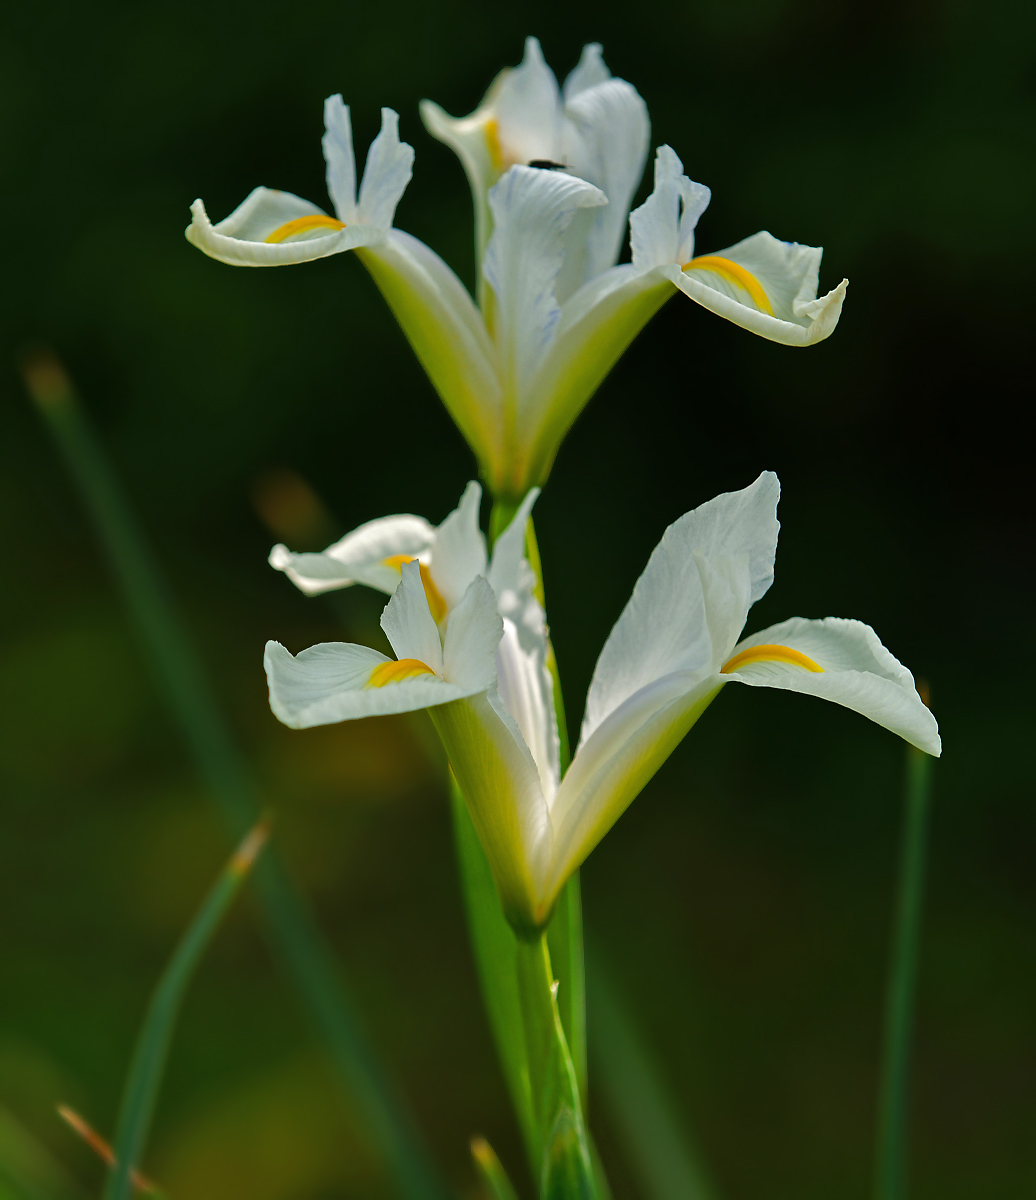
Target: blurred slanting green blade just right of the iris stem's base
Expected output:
[657,1149]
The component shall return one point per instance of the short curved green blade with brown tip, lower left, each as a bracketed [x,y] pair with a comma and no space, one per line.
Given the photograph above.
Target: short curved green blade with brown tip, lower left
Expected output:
[153,1043]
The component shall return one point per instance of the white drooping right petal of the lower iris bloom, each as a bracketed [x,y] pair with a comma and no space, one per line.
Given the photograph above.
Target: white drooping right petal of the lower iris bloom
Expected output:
[859,674]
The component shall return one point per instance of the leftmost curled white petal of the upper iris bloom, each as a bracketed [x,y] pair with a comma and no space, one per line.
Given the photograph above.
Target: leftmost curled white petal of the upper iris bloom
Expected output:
[241,238]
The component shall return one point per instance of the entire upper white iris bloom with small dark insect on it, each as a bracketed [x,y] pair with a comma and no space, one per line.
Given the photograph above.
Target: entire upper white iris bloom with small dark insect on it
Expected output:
[553,172]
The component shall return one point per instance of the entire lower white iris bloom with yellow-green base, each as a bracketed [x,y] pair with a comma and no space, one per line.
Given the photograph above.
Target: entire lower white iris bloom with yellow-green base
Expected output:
[670,653]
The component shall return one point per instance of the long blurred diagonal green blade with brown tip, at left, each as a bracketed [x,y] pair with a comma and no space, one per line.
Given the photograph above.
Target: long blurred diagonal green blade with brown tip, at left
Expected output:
[296,939]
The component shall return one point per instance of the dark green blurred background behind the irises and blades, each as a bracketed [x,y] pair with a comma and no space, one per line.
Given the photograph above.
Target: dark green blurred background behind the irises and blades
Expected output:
[745,902]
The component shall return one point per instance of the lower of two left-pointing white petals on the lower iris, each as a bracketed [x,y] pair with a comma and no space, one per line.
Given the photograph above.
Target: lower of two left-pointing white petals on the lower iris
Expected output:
[330,683]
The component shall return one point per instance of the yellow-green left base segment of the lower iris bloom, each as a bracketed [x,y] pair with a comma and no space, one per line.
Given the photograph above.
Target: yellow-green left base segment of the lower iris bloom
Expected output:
[501,787]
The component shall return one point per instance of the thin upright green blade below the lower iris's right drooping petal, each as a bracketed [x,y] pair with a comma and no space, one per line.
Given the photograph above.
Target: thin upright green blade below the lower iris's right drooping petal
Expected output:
[890,1181]
